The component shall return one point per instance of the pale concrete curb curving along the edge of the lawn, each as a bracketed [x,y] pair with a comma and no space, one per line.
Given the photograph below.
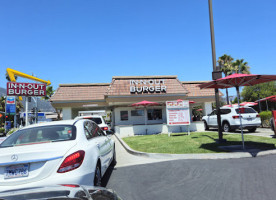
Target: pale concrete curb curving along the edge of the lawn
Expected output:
[196,156]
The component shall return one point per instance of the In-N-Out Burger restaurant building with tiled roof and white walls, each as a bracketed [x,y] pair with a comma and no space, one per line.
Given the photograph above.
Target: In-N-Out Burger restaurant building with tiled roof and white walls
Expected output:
[118,96]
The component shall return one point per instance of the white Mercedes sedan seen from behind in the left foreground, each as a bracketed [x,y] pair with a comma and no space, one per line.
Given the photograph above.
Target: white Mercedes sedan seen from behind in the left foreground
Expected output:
[63,152]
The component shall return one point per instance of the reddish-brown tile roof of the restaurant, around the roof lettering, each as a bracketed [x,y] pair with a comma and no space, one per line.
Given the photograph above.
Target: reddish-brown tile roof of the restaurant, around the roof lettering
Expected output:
[120,86]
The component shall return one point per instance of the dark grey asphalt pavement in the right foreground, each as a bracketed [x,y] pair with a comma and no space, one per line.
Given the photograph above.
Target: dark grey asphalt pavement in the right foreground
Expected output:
[230,179]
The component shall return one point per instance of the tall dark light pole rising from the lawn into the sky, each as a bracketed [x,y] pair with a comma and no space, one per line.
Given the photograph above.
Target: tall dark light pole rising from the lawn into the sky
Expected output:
[216,71]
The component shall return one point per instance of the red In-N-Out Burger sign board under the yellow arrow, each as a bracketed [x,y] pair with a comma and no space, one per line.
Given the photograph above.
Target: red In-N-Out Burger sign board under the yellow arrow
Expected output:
[26,89]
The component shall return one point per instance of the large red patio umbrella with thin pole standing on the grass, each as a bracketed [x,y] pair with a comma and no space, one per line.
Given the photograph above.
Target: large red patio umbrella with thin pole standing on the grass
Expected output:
[237,80]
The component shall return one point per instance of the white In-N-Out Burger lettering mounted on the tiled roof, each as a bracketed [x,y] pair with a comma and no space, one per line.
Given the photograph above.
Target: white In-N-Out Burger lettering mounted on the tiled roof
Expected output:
[147,85]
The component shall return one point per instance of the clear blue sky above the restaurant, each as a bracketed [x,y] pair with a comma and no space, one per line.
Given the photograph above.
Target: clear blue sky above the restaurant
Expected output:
[89,41]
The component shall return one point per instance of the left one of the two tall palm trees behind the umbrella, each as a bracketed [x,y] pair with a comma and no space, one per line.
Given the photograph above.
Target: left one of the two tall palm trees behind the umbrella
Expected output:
[226,66]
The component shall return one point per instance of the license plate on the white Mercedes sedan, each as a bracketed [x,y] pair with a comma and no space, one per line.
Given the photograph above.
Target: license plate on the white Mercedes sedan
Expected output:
[16,171]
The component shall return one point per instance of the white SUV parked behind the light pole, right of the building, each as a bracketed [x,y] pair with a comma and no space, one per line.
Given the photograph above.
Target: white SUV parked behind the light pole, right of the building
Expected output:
[230,119]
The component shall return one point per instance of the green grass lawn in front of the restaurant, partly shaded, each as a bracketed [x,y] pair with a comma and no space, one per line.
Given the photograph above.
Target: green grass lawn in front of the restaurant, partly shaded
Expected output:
[198,142]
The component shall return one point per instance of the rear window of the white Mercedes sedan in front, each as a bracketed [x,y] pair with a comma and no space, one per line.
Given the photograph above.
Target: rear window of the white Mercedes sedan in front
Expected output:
[55,133]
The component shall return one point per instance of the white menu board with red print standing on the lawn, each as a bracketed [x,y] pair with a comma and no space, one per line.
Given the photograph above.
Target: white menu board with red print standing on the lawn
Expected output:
[178,113]
